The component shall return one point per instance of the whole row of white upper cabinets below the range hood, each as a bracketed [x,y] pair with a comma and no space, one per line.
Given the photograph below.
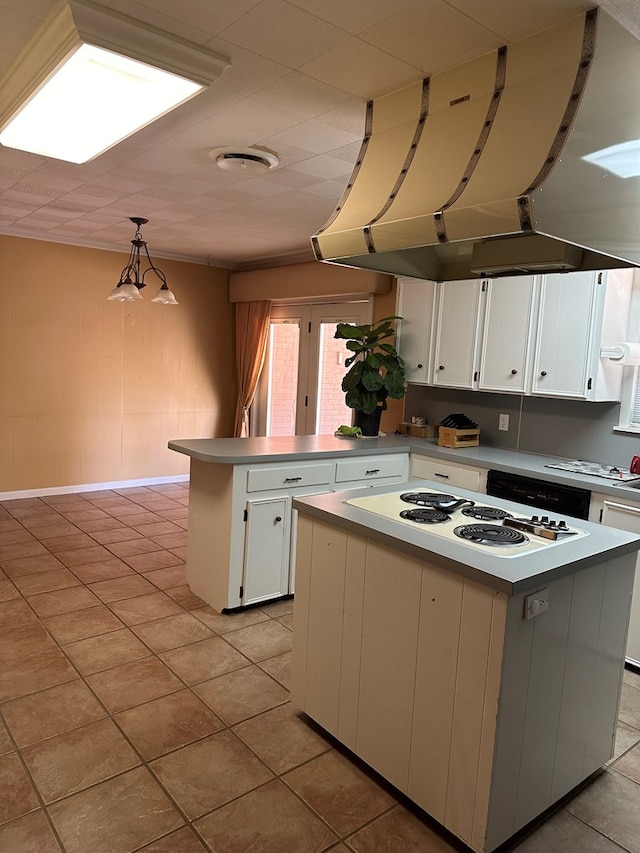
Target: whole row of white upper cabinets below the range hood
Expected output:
[534,335]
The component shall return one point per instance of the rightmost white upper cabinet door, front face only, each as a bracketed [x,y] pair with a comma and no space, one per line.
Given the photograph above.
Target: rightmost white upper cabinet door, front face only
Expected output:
[565,330]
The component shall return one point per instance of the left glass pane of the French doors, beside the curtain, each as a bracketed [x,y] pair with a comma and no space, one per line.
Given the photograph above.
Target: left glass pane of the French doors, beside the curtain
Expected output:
[284,350]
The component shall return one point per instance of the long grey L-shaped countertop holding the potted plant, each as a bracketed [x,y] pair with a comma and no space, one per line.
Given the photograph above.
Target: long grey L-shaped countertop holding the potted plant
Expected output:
[244,451]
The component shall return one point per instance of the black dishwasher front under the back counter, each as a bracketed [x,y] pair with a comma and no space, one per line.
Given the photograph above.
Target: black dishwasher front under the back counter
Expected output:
[554,497]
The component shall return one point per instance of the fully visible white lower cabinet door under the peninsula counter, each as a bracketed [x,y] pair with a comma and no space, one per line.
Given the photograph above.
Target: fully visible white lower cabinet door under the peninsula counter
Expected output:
[266,555]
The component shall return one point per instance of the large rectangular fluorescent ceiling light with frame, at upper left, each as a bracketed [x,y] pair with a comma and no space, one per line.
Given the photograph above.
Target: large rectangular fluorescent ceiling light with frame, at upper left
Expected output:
[91,77]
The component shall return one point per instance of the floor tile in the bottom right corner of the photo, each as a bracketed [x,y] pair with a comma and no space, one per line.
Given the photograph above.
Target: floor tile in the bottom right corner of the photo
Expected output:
[610,805]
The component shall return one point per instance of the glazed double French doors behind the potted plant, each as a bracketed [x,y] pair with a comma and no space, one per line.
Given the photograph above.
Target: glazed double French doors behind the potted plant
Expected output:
[299,391]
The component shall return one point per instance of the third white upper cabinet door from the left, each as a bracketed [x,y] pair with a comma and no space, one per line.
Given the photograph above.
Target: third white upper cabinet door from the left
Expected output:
[507,333]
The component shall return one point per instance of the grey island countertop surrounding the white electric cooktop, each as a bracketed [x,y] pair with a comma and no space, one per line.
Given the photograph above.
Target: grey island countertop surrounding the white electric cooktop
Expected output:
[513,574]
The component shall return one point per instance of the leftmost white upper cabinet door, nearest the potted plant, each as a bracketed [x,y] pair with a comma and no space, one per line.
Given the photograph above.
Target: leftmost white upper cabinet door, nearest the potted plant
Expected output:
[414,342]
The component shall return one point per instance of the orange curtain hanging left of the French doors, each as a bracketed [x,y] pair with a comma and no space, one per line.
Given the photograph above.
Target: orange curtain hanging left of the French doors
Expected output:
[252,331]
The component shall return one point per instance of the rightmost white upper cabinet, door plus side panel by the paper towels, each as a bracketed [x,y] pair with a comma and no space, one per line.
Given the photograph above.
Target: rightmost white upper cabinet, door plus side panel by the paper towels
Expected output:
[579,313]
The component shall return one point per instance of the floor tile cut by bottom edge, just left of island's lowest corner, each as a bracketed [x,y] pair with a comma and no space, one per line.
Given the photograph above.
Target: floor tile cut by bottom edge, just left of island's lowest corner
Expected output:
[398,831]
